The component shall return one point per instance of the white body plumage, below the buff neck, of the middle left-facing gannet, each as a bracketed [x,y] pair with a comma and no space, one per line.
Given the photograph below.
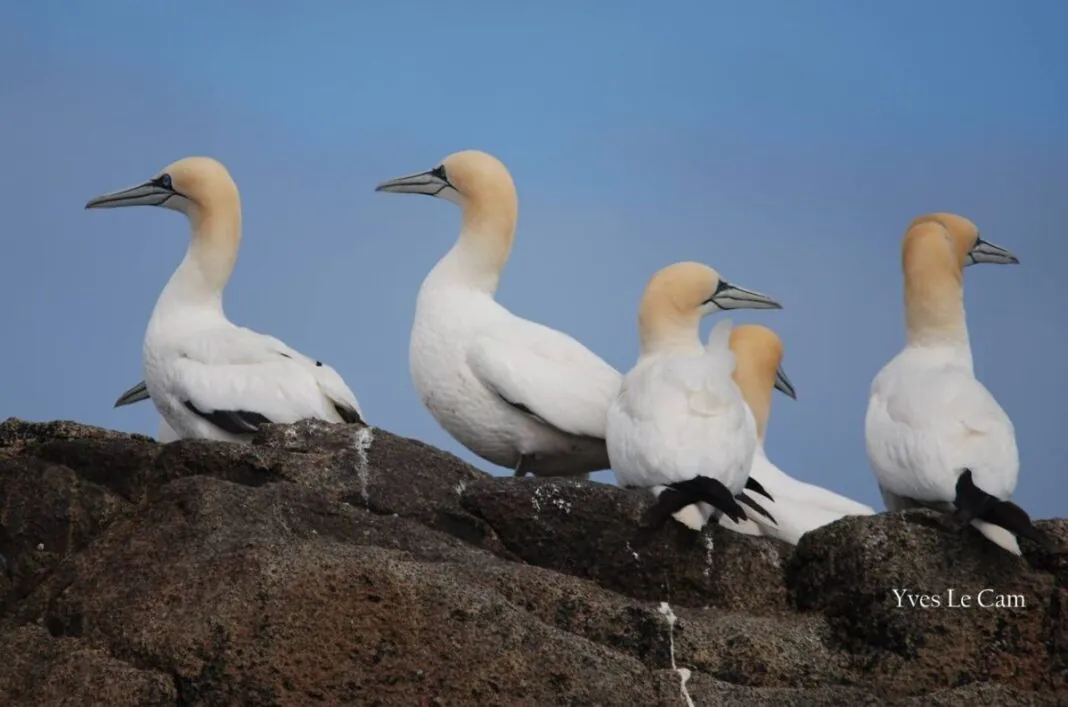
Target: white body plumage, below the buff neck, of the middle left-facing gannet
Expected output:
[509,389]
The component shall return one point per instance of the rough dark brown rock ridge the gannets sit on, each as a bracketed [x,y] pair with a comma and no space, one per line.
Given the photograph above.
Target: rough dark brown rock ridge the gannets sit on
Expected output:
[337,564]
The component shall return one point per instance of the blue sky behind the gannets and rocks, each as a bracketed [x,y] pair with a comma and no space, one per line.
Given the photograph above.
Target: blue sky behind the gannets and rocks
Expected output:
[787,145]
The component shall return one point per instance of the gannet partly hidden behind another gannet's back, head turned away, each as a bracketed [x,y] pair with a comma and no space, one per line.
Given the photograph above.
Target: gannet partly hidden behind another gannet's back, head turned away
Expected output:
[797,507]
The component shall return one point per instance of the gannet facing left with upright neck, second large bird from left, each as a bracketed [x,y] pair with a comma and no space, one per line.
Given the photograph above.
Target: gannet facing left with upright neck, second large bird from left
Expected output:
[516,394]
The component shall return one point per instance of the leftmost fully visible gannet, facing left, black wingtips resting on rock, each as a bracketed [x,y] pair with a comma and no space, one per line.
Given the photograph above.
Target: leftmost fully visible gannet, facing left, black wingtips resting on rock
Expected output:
[208,378]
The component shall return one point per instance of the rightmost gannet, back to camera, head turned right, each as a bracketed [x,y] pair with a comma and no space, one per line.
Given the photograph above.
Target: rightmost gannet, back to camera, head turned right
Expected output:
[935,435]
